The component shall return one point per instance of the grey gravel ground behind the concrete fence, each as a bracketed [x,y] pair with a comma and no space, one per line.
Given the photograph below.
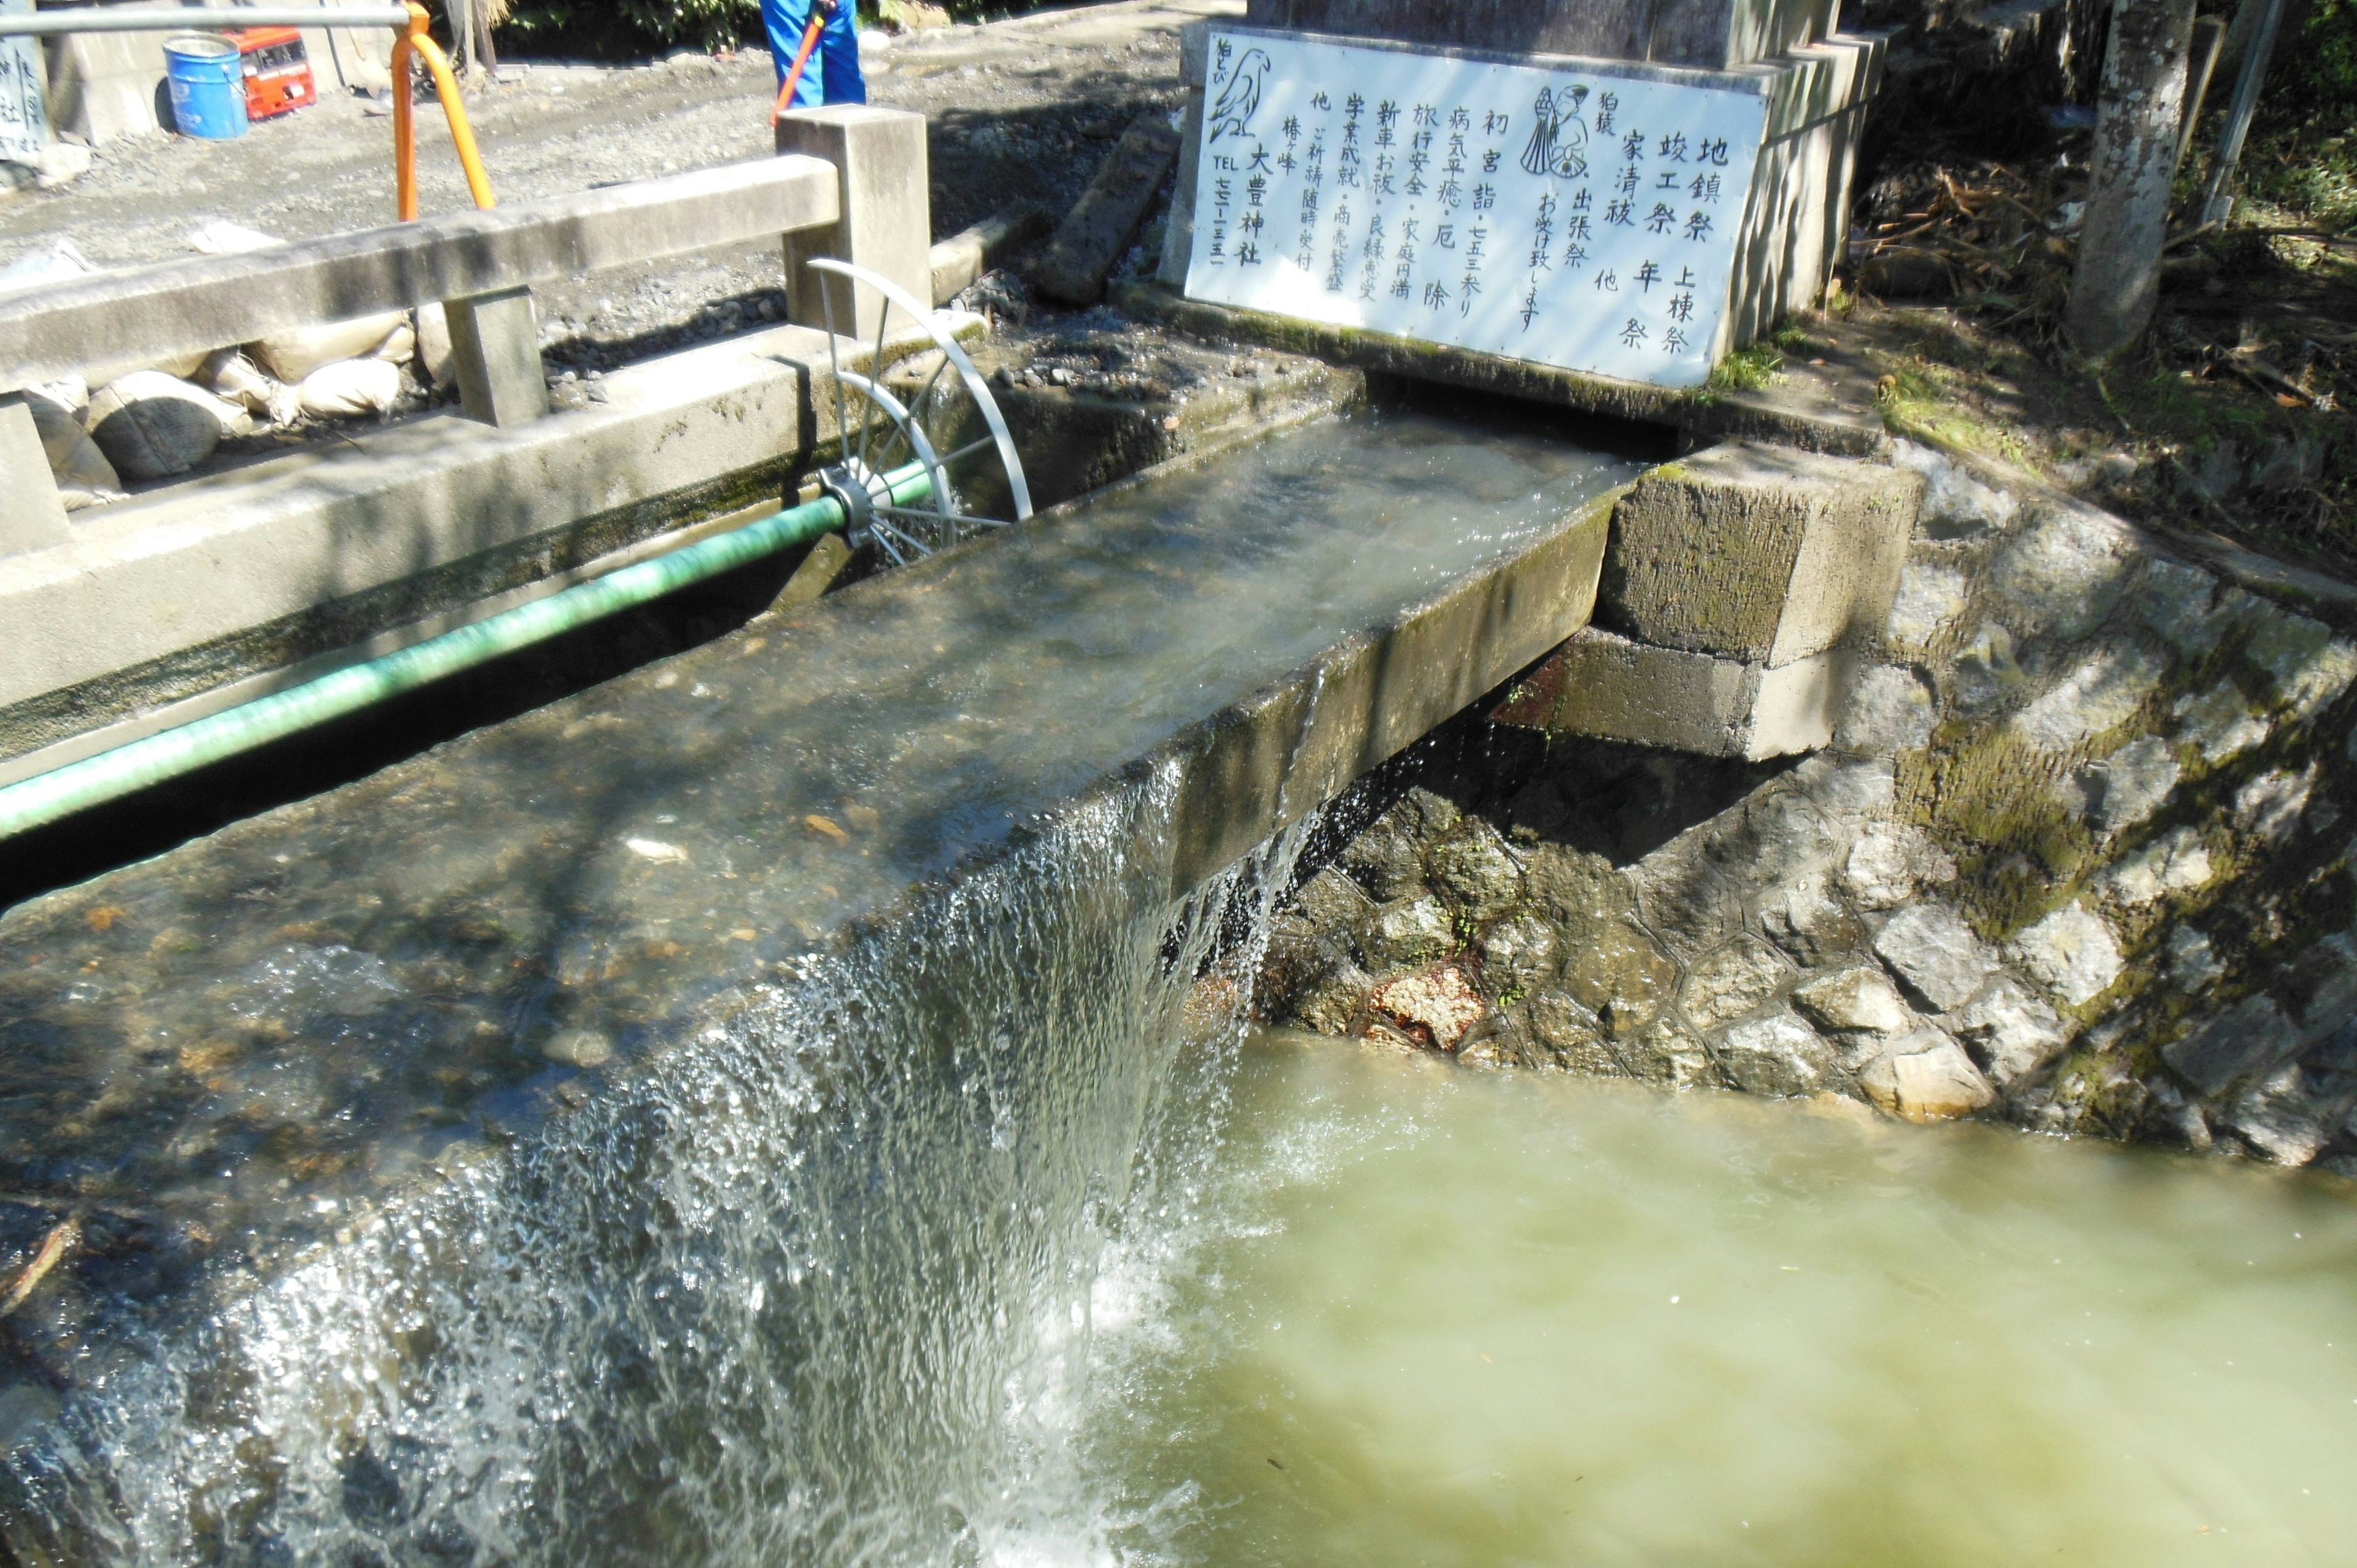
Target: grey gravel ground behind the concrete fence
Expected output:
[1019,112]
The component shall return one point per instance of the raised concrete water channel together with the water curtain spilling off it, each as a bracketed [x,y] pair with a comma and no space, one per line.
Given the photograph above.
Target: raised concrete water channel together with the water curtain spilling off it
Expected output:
[680,1124]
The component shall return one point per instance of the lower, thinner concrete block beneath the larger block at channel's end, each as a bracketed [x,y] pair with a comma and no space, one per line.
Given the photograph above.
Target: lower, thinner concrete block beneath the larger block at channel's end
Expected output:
[1620,690]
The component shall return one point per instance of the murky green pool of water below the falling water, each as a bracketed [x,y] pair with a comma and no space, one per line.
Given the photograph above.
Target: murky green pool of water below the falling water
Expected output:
[1439,1317]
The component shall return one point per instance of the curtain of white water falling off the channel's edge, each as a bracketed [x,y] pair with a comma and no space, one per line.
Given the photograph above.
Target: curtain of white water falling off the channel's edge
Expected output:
[793,1293]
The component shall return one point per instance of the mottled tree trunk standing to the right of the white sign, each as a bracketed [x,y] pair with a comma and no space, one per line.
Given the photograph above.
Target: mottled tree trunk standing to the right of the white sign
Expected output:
[2137,154]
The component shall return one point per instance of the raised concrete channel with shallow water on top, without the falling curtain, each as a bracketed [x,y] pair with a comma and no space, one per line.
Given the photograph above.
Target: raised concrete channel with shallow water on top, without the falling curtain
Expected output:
[256,1048]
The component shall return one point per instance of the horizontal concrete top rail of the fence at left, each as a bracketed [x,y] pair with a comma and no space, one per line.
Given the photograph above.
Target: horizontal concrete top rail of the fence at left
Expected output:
[124,322]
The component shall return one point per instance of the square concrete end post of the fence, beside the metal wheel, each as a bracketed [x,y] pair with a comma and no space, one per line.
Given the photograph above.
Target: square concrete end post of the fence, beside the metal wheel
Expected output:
[887,220]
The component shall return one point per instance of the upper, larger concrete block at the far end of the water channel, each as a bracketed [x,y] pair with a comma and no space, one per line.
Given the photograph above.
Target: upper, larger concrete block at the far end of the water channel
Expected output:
[1762,555]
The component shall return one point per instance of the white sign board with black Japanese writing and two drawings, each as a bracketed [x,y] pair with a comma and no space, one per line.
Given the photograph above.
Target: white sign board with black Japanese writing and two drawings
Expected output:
[1569,218]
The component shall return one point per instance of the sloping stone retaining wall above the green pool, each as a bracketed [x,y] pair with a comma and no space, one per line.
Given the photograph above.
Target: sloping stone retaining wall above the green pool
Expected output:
[2075,859]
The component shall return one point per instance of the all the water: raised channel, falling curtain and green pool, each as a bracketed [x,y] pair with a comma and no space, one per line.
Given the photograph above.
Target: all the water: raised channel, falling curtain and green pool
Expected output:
[581,1145]
